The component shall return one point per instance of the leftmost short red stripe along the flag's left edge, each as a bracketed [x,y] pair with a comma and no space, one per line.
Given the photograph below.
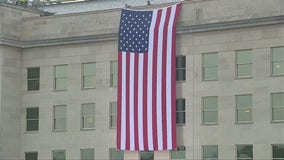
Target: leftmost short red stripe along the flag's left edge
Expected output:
[118,140]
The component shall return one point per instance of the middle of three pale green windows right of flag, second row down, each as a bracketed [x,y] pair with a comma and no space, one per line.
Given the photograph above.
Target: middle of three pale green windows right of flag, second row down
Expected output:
[243,108]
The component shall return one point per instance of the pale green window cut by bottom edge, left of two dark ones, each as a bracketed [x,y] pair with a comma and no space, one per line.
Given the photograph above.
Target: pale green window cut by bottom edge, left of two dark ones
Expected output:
[210,152]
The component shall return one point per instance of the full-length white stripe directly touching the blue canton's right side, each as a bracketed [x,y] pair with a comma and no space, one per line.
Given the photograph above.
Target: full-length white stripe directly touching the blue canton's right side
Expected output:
[149,82]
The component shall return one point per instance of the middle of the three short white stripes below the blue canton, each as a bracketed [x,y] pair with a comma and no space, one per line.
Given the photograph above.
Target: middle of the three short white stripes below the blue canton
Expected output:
[131,101]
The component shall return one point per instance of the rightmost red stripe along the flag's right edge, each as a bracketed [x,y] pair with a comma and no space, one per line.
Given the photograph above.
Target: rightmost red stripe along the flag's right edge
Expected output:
[173,86]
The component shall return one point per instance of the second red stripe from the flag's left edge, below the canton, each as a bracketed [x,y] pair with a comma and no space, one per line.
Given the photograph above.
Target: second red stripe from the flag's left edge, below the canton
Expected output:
[127,102]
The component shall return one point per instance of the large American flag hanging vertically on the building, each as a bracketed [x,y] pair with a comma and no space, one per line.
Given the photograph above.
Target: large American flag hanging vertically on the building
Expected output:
[146,79]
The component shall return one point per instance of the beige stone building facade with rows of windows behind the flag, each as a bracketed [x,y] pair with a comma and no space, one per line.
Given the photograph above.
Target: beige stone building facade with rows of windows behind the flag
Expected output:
[58,83]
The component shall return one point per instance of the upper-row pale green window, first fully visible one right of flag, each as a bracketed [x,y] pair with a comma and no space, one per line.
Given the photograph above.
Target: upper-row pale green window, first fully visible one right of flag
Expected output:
[210,66]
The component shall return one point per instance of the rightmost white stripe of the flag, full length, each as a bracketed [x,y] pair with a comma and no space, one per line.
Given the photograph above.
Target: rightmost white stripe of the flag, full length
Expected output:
[169,78]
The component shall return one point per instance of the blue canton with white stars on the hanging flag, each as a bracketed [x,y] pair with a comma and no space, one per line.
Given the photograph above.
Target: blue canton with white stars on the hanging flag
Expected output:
[134,31]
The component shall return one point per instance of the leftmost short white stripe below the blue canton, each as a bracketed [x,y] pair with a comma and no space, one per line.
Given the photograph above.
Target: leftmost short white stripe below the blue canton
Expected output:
[123,101]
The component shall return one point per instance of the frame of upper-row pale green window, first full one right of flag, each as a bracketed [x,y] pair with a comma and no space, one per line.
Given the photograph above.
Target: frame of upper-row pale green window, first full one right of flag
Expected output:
[203,67]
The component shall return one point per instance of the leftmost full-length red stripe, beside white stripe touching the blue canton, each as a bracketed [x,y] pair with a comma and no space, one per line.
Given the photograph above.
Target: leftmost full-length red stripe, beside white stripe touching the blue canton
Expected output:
[154,85]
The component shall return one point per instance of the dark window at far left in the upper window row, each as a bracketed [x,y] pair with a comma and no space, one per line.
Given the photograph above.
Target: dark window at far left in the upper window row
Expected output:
[33,76]
